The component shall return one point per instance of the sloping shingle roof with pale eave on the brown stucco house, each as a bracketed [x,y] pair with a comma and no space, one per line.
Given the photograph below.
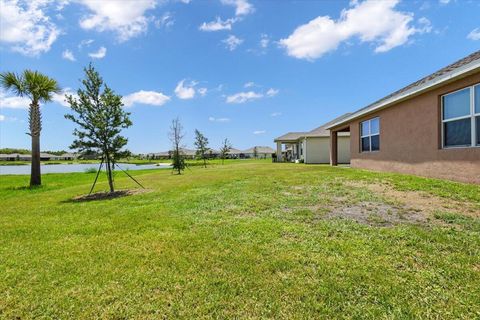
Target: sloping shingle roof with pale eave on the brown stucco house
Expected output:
[454,71]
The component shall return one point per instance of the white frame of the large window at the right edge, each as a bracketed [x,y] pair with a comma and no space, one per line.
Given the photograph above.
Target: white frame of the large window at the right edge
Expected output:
[472,116]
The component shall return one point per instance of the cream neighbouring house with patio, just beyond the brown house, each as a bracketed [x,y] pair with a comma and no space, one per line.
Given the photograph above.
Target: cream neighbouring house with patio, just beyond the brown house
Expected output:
[312,146]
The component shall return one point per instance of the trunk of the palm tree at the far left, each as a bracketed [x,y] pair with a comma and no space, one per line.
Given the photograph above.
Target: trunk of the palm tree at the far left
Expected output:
[35,122]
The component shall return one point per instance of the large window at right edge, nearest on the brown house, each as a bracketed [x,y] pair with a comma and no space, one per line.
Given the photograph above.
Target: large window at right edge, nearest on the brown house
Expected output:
[461,118]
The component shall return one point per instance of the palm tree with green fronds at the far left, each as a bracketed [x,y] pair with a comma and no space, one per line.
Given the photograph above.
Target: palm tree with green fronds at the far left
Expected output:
[39,88]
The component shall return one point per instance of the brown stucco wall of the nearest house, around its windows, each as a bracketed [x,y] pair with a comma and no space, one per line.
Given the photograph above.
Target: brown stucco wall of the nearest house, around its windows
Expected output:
[410,139]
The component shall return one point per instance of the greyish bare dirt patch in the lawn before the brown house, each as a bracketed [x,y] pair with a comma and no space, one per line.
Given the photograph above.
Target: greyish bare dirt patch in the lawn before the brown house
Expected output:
[378,214]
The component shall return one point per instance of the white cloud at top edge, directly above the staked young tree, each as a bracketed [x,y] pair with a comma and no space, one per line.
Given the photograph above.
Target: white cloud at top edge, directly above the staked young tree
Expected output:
[126,18]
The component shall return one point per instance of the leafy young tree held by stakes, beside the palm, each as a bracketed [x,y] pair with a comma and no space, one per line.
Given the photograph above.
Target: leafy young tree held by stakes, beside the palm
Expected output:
[99,115]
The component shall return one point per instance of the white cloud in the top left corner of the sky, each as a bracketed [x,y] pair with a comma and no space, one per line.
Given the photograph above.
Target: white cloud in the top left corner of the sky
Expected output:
[25,26]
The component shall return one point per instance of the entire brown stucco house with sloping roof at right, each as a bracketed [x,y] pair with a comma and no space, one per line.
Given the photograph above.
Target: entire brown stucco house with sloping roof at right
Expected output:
[429,128]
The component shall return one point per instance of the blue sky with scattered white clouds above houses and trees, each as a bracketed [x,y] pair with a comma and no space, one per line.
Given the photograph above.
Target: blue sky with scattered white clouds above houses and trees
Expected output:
[244,70]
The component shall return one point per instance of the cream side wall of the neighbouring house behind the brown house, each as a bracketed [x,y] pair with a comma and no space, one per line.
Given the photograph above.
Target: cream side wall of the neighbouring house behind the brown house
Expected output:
[318,150]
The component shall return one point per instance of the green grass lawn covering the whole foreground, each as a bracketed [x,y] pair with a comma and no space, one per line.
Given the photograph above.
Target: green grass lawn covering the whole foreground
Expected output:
[250,239]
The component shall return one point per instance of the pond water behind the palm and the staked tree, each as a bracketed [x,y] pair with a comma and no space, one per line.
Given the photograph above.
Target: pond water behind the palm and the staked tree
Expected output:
[79,167]
